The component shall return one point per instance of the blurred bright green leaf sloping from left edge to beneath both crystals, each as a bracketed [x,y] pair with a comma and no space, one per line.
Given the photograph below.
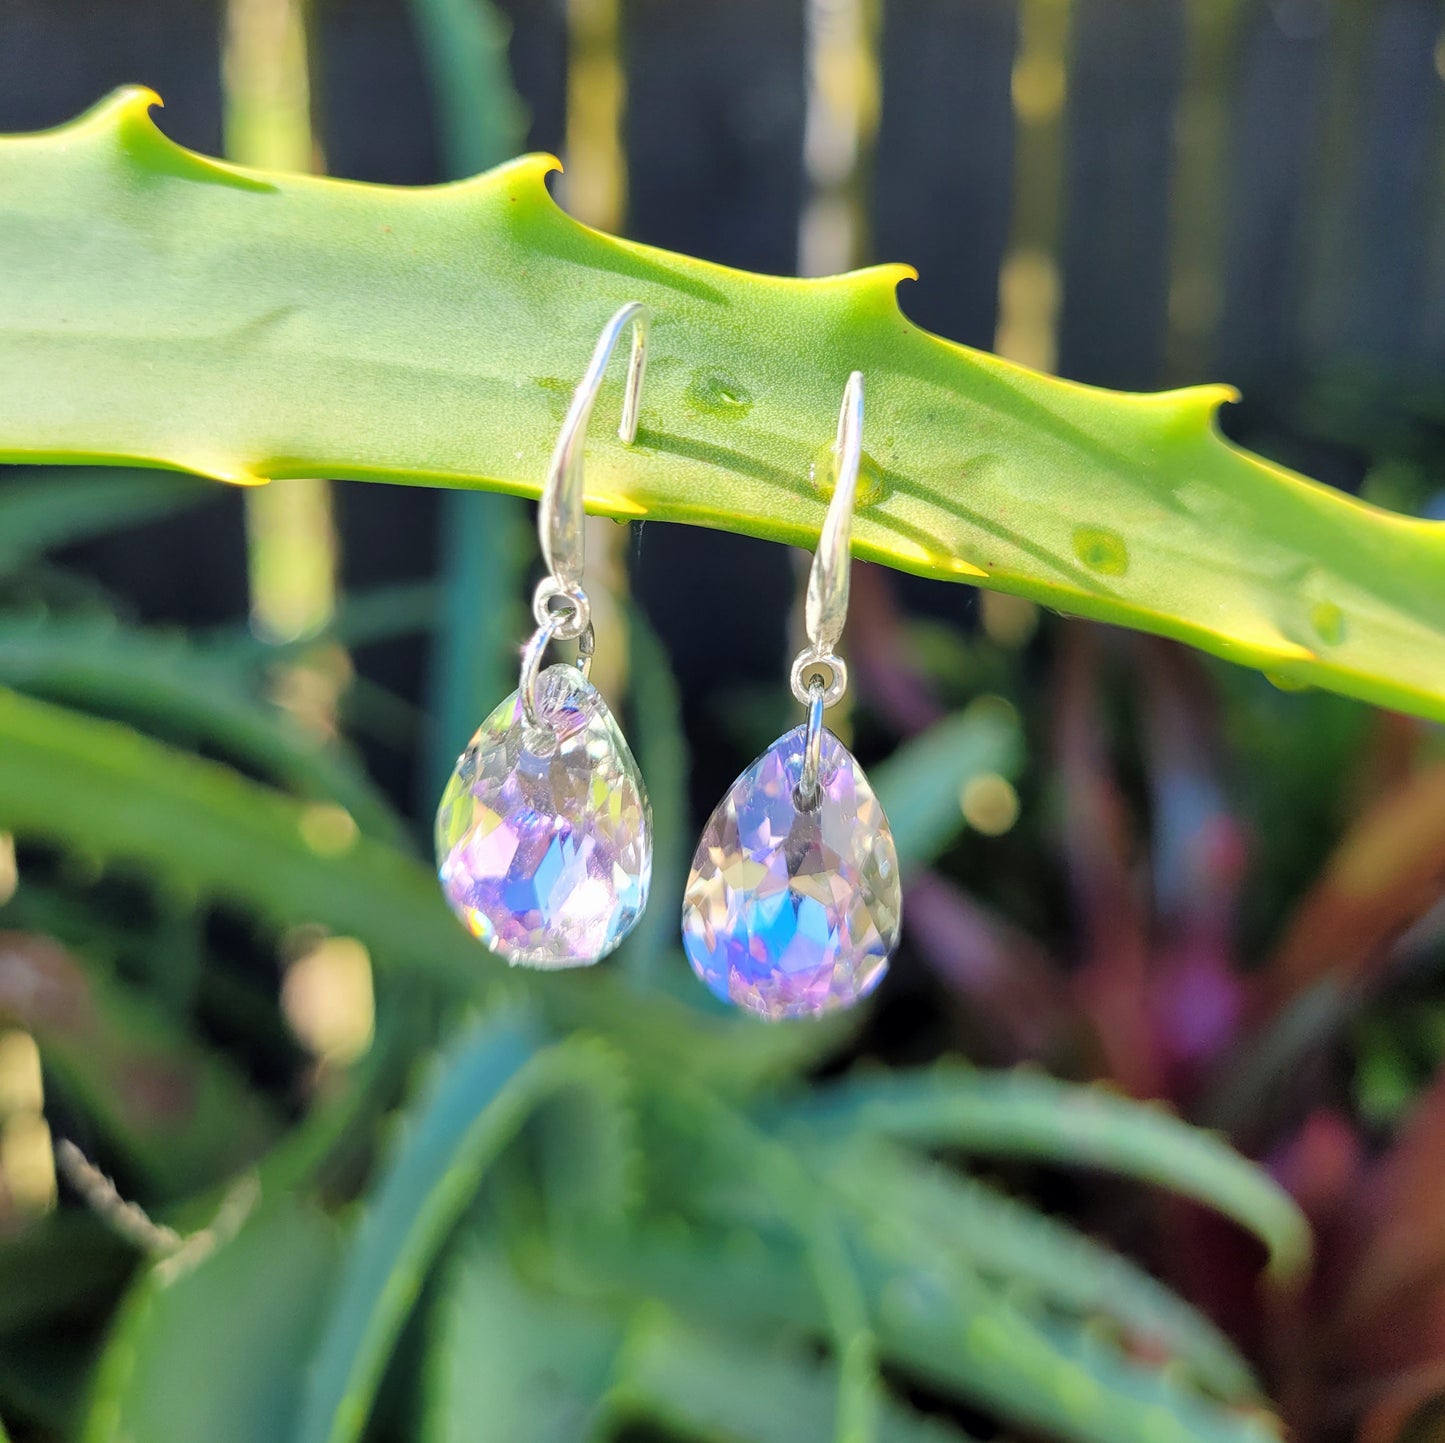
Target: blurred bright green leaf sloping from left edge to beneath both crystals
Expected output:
[202,830]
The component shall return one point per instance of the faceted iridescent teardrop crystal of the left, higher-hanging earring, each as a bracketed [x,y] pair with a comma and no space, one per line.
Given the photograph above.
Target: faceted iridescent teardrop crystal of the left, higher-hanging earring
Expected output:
[544,836]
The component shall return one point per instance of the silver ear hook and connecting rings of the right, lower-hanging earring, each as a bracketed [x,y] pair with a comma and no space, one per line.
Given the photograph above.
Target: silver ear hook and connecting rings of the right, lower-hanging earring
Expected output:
[820,677]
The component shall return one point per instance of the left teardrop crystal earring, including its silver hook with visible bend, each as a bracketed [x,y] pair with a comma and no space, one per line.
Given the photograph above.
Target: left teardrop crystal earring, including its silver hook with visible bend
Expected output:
[544,834]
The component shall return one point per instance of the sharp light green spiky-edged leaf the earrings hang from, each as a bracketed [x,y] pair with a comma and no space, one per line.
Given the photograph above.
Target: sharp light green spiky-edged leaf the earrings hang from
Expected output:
[163,308]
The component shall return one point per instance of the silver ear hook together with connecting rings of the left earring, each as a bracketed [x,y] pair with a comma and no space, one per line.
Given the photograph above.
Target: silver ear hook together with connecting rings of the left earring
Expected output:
[560,606]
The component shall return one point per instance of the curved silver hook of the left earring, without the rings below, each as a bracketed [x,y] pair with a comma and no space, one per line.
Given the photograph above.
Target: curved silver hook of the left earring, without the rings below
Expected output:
[561,509]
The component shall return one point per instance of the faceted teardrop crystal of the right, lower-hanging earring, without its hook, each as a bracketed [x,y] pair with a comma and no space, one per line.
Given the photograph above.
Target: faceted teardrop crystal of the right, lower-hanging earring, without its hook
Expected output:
[793,912]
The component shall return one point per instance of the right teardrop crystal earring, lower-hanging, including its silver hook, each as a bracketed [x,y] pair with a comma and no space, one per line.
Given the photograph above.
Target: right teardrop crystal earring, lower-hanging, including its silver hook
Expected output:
[793,906]
